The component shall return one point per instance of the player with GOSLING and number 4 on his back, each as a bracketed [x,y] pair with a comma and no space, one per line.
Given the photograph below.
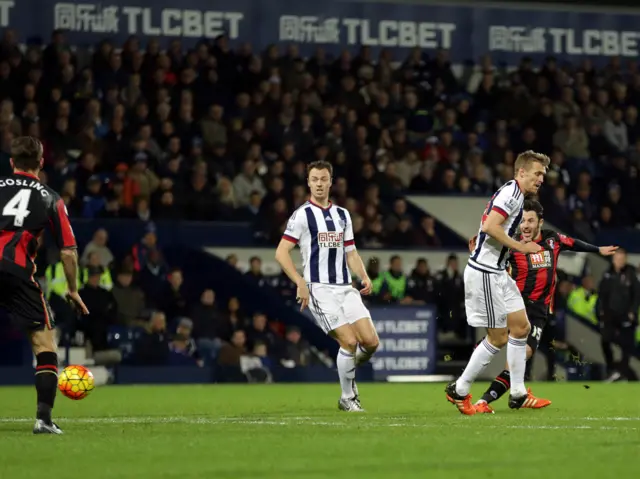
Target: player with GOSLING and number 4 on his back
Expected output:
[27,208]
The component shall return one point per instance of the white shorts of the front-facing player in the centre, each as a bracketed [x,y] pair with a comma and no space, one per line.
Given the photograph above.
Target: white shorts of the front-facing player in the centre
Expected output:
[333,305]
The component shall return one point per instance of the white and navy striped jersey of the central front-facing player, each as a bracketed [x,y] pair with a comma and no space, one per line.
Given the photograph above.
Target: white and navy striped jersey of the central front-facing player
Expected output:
[324,236]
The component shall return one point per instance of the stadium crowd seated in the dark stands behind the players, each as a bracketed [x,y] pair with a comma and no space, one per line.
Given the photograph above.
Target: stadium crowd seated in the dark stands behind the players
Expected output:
[222,133]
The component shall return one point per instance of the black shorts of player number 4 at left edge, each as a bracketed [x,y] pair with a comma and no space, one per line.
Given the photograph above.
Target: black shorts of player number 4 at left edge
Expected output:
[25,303]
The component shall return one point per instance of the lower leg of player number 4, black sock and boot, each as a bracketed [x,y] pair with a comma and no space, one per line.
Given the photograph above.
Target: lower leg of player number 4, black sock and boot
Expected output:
[44,347]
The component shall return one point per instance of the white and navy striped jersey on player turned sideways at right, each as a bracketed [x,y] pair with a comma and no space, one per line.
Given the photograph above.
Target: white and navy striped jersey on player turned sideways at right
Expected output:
[490,255]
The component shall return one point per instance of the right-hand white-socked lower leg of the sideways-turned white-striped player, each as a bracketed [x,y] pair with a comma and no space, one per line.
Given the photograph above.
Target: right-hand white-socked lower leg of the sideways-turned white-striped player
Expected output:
[519,329]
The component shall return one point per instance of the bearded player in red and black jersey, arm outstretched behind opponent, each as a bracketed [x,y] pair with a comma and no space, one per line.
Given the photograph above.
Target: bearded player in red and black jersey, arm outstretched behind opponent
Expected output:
[535,275]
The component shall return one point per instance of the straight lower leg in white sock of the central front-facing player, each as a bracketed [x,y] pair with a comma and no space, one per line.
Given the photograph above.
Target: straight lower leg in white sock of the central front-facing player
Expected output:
[346,364]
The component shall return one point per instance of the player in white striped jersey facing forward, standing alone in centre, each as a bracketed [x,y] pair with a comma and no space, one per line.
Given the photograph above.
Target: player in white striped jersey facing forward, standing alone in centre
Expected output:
[324,233]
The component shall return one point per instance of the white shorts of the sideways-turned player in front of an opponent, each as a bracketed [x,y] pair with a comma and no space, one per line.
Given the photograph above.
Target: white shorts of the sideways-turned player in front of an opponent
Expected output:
[489,297]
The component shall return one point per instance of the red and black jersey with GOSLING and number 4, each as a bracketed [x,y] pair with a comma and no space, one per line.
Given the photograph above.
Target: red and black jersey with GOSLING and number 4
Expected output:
[27,207]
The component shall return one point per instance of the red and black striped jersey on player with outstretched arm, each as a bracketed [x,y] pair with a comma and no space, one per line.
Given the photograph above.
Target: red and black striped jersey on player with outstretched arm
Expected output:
[535,274]
